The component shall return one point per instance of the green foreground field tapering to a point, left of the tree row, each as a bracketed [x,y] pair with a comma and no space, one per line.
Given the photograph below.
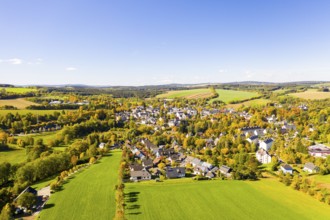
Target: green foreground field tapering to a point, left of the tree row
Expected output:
[88,195]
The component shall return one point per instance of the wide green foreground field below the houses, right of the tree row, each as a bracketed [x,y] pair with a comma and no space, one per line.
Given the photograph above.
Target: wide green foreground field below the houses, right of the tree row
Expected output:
[185,199]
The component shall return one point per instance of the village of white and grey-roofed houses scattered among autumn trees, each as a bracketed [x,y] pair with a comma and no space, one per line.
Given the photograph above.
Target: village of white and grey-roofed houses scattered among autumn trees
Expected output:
[172,161]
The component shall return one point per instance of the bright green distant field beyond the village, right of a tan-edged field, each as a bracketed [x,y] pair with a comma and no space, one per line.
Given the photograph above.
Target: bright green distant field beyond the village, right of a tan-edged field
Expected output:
[227,96]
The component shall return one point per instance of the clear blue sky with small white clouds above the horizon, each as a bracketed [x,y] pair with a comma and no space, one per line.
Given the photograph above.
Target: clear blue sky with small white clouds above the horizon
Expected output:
[144,42]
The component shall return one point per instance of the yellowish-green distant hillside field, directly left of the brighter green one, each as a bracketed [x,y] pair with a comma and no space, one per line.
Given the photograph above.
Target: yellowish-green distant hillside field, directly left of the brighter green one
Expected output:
[188,94]
